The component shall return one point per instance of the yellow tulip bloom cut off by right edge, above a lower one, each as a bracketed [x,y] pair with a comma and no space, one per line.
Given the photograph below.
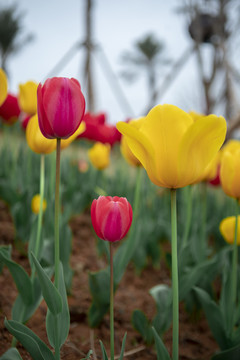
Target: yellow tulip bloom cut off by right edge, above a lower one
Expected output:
[230,169]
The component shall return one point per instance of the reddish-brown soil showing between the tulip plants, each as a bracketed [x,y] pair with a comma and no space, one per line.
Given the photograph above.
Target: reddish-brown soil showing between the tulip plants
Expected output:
[195,339]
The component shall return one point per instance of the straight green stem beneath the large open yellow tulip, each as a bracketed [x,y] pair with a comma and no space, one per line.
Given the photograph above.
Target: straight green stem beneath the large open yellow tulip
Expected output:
[174,275]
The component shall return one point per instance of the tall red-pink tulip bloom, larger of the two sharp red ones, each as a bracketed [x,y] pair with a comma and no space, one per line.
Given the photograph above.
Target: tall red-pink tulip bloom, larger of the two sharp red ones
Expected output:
[61,107]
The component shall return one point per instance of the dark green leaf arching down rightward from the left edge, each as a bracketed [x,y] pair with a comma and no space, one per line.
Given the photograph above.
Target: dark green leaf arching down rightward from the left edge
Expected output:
[20,277]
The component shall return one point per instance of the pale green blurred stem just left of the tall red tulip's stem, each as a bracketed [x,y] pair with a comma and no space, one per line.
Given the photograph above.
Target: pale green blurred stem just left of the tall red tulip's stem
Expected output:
[40,214]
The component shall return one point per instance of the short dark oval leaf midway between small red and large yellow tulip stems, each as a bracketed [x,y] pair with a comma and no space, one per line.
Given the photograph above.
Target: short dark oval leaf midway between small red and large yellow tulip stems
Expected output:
[142,325]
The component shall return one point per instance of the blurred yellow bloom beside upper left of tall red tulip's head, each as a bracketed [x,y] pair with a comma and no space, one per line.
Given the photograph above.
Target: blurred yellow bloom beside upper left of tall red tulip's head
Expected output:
[27,97]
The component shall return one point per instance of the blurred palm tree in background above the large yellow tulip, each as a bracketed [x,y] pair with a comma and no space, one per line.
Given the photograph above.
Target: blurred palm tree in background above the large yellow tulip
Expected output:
[147,55]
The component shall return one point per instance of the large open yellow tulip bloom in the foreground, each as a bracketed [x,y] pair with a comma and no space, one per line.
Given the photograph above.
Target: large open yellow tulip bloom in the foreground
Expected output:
[172,147]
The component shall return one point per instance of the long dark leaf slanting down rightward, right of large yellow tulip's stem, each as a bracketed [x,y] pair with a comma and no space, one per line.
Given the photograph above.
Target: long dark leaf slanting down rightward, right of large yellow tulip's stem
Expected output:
[214,317]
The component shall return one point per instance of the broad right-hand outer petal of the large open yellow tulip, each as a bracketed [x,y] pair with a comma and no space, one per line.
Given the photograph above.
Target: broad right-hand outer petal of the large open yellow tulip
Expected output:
[199,146]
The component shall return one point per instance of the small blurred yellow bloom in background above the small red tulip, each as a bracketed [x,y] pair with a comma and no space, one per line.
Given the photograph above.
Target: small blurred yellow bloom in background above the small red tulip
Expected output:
[99,155]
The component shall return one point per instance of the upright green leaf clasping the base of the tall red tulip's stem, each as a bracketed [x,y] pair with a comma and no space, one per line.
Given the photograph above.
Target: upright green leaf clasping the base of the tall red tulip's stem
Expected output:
[57,336]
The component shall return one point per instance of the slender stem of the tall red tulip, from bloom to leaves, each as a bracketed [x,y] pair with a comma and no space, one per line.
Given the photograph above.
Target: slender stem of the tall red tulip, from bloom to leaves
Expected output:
[57,245]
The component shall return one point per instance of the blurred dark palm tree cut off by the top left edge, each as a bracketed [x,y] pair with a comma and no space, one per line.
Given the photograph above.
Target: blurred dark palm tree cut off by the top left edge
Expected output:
[10,34]
